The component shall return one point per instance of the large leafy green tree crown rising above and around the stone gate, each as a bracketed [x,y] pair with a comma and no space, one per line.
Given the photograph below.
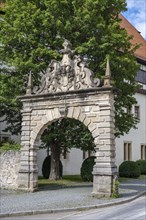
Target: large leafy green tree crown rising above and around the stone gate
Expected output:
[32,33]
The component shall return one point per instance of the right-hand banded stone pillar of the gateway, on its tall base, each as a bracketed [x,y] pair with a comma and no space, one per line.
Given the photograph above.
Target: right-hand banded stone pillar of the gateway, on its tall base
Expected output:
[105,170]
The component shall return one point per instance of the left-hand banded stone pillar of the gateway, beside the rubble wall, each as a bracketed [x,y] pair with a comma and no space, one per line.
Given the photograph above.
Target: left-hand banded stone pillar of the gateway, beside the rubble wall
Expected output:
[27,176]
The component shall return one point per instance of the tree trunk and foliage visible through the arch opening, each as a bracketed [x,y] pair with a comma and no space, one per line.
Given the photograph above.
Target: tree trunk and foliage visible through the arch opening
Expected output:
[61,136]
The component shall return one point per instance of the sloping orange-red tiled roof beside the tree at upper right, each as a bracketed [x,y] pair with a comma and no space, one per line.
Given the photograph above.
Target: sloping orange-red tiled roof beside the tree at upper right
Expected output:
[137,38]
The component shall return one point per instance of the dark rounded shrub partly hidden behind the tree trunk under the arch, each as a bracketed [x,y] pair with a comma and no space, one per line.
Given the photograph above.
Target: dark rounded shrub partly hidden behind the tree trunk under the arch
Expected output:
[47,165]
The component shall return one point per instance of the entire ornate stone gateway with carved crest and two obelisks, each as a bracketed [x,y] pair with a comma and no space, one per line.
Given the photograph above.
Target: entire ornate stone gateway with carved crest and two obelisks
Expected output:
[68,89]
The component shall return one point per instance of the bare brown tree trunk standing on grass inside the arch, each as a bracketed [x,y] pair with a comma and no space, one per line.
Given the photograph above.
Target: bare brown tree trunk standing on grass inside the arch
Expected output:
[55,158]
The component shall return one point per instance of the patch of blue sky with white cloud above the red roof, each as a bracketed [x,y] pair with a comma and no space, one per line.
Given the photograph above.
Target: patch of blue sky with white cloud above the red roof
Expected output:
[136,15]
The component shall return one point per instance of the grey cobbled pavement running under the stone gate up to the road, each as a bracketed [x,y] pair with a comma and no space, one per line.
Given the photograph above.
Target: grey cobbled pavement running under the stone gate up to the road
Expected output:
[13,203]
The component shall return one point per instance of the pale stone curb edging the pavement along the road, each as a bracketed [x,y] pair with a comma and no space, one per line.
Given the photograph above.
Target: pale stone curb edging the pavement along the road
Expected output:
[81,208]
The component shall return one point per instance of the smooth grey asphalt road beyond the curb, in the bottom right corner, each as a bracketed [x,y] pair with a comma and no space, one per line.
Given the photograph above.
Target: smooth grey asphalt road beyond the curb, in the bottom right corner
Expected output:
[135,210]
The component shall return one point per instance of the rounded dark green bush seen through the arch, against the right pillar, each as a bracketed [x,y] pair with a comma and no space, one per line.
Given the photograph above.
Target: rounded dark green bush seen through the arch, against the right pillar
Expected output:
[87,168]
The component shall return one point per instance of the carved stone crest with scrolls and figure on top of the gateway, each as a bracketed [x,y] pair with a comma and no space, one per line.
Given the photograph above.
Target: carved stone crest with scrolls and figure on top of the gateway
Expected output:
[67,75]
